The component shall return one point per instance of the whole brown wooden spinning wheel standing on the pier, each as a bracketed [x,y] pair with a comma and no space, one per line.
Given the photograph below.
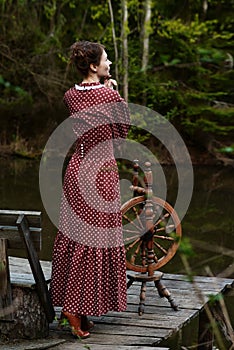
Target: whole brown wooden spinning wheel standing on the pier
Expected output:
[152,234]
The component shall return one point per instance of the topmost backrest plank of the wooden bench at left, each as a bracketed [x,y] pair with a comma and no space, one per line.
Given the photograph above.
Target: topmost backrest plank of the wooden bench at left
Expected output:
[9,217]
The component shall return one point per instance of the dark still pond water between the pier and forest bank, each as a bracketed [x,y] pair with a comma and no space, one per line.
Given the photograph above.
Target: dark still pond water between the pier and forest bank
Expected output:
[208,224]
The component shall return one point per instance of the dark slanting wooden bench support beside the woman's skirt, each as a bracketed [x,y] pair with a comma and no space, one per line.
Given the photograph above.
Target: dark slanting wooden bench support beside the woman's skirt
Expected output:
[36,268]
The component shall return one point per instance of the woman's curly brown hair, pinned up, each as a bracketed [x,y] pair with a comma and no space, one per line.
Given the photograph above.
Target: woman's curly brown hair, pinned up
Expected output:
[84,53]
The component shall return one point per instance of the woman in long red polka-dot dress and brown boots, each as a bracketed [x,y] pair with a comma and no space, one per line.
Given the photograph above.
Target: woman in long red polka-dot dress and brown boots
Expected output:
[88,266]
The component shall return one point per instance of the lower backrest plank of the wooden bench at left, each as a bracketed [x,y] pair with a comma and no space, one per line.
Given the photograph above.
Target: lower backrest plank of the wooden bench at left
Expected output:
[12,234]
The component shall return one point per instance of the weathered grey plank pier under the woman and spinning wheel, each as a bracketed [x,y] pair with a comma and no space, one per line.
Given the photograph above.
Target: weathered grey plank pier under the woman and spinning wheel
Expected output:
[128,330]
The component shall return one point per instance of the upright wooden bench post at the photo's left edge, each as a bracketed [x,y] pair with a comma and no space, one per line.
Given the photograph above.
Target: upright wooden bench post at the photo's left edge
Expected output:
[5,285]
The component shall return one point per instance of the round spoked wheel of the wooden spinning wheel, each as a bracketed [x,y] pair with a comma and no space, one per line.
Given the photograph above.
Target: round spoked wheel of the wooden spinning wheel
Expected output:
[160,242]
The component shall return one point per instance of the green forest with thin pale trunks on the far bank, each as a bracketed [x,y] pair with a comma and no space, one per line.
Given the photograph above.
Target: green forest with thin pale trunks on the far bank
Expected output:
[175,57]
